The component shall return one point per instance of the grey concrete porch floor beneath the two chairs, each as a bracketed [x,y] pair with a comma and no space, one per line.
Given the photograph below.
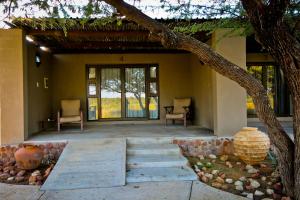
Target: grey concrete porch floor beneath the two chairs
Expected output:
[122,131]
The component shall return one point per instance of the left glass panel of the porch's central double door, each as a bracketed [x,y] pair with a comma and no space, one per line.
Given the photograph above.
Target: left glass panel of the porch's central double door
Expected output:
[111,98]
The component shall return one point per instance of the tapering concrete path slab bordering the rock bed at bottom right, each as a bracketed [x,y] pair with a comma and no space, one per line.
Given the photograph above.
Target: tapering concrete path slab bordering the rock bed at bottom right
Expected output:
[205,192]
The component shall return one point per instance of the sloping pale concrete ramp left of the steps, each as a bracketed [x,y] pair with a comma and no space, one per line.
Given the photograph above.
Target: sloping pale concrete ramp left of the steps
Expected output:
[89,164]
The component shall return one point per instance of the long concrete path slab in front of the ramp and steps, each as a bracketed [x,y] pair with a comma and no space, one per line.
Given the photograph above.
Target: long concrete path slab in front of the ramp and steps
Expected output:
[140,191]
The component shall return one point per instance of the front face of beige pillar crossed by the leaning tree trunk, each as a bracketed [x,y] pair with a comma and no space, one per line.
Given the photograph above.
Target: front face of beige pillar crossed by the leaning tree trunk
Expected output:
[229,99]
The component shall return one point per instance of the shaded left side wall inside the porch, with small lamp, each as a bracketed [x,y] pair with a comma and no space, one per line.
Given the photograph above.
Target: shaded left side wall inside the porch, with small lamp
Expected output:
[39,97]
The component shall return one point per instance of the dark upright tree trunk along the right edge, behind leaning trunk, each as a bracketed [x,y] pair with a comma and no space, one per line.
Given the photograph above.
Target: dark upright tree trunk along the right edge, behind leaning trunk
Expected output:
[274,35]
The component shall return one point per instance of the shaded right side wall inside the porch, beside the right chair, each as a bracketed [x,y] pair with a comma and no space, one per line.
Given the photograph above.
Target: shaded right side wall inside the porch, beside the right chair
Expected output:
[201,77]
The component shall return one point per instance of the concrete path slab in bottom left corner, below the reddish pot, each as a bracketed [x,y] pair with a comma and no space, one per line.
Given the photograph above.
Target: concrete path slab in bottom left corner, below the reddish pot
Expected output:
[16,192]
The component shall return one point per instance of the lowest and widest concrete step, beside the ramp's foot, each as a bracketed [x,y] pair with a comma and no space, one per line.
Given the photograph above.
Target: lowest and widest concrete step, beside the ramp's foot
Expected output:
[160,174]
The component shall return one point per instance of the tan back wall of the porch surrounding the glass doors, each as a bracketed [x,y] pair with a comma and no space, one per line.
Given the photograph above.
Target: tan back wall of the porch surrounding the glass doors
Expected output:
[69,78]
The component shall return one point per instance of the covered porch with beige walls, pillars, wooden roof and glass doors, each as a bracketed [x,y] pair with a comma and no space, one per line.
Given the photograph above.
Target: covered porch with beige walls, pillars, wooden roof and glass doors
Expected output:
[74,66]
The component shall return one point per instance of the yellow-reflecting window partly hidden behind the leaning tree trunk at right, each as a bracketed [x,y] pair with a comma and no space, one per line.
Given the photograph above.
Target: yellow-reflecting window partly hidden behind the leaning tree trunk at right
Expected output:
[272,79]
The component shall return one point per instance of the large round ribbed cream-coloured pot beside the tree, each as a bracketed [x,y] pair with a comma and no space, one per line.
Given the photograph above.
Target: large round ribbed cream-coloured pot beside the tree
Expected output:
[251,145]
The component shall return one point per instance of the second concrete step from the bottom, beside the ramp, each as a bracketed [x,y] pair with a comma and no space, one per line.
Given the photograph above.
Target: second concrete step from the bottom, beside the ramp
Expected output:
[140,161]
